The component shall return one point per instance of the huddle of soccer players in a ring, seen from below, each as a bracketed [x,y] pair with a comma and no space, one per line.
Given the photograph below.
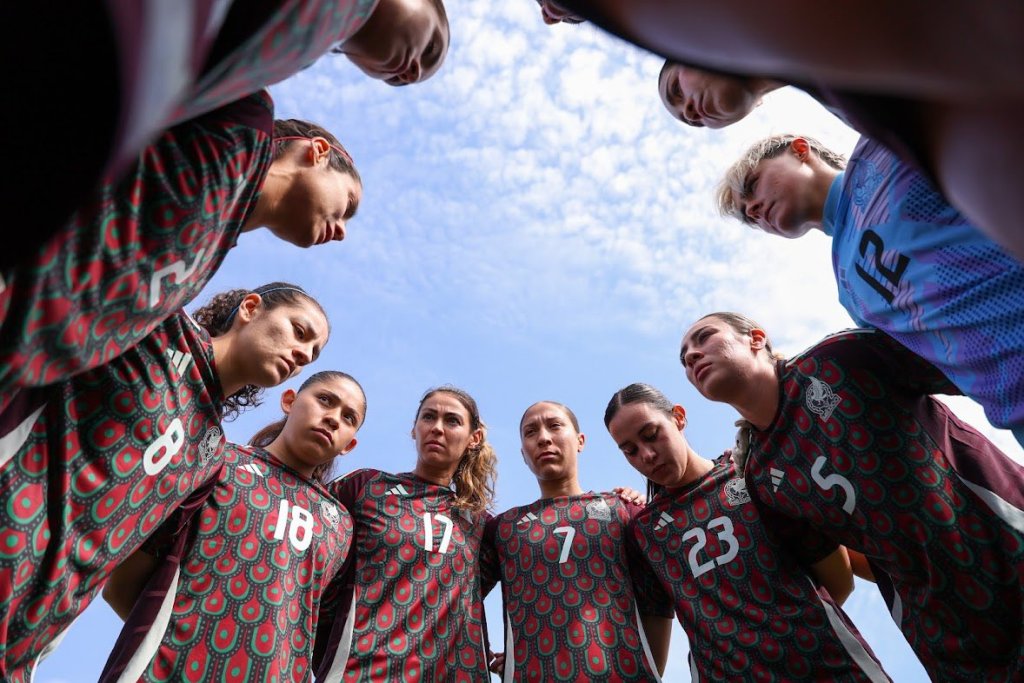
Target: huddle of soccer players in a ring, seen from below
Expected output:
[247,563]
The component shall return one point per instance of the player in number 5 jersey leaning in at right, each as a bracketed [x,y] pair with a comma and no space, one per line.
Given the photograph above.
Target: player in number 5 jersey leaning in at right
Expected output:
[845,438]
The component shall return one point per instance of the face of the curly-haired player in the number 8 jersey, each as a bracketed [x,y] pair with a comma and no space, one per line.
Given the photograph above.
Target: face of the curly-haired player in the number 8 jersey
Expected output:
[274,345]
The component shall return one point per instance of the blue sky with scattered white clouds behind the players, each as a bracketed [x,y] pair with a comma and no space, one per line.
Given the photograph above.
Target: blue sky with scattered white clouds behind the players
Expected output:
[535,227]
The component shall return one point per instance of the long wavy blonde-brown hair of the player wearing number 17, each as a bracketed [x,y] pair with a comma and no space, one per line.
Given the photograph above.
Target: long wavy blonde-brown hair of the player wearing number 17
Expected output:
[477,476]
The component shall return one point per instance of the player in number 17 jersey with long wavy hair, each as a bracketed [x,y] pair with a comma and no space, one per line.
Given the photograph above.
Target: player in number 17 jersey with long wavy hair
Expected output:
[409,608]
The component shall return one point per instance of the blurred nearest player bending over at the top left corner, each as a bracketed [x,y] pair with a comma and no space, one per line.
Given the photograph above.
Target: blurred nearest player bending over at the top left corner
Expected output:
[145,69]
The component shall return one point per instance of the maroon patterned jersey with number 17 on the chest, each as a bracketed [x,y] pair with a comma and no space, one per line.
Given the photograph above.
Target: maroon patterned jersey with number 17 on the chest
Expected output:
[410,608]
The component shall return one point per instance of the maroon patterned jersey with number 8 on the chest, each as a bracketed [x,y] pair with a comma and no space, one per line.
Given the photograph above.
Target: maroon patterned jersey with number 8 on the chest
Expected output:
[90,468]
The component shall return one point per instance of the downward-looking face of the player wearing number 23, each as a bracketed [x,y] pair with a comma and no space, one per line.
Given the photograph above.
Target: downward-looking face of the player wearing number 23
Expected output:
[654,443]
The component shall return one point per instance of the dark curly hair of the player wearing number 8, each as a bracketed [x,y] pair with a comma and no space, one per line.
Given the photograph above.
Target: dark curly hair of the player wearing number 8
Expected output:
[219,315]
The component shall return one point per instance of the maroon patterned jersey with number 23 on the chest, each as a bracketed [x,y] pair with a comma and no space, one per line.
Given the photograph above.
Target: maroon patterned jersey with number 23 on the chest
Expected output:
[742,590]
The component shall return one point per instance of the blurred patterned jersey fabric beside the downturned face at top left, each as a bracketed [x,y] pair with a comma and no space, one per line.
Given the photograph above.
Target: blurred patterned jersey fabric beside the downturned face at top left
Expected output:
[263,44]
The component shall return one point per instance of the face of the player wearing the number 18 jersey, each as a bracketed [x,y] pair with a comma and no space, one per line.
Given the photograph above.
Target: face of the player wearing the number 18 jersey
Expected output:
[323,420]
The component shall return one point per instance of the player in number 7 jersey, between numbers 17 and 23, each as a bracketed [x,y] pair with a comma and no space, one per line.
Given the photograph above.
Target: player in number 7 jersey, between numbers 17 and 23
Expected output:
[572,611]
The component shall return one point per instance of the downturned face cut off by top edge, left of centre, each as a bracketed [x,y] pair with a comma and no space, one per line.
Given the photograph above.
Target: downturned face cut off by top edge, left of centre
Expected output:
[404,42]
